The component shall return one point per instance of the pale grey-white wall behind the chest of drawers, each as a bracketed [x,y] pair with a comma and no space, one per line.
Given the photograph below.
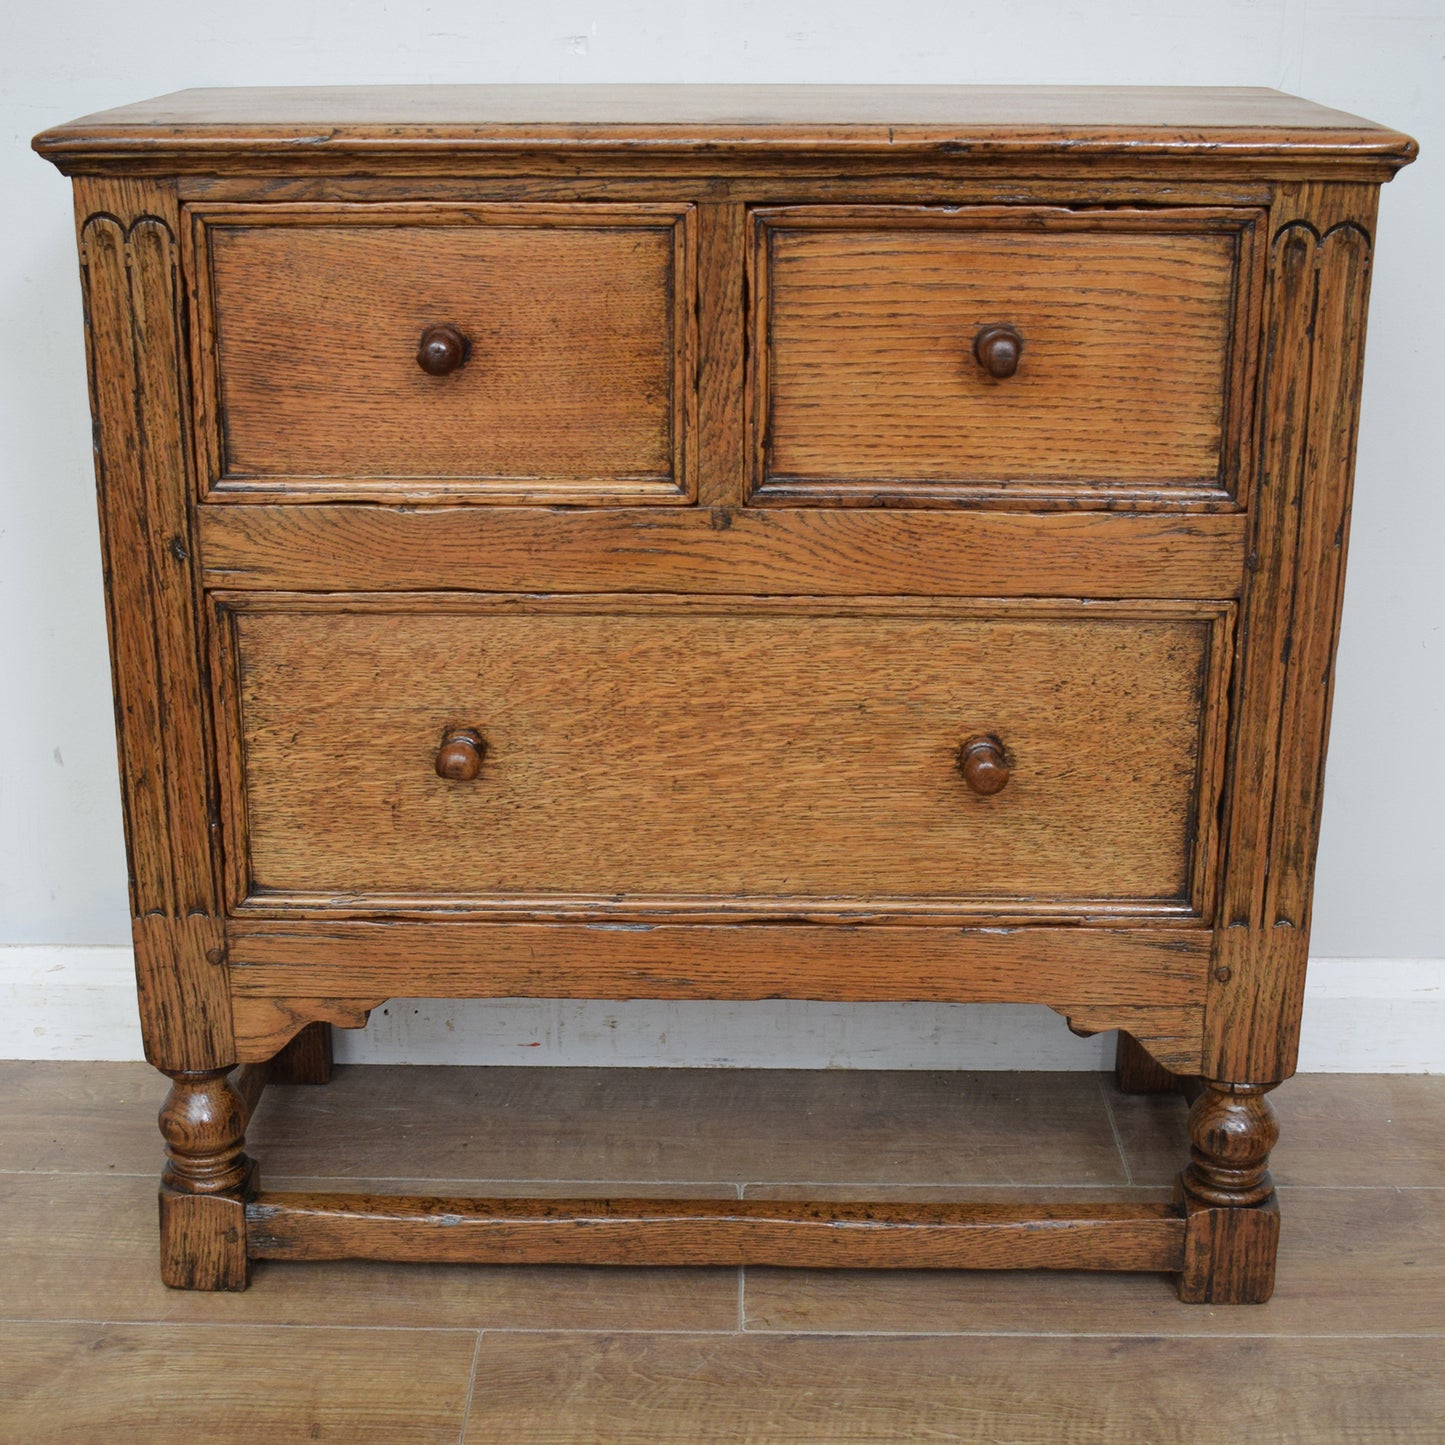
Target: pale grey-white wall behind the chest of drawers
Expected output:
[1382,863]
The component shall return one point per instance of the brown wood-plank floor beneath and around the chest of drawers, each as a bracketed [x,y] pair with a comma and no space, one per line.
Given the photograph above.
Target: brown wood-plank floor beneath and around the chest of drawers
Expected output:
[93,1349]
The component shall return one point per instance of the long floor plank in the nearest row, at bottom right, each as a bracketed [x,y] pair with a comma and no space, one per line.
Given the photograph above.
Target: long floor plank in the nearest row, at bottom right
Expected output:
[641,1391]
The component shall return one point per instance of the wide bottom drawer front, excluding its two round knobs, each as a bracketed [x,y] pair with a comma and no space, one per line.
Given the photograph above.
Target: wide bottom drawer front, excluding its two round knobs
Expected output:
[751,758]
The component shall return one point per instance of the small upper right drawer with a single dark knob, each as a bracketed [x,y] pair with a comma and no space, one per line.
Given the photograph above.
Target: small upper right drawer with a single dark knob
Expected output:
[1002,356]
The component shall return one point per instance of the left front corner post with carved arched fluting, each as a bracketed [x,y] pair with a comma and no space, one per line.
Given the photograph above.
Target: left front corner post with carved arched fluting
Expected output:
[138,375]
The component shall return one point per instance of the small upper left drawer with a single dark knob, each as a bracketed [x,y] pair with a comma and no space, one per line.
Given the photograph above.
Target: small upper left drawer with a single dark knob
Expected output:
[485,353]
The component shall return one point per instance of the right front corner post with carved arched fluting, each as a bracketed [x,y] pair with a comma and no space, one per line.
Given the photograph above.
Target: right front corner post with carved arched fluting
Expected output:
[1317,307]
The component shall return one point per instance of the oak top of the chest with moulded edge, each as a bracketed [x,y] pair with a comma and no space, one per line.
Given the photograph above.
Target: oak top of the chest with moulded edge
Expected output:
[1077,125]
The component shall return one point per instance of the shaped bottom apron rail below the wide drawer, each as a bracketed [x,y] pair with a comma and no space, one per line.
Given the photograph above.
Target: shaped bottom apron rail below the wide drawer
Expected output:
[1145,980]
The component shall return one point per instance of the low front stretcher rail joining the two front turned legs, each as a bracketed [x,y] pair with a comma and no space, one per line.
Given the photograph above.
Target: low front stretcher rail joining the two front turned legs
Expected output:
[704,1232]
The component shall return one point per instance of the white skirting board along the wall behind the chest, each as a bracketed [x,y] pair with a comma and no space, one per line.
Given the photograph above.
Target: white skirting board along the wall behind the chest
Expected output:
[1362,1017]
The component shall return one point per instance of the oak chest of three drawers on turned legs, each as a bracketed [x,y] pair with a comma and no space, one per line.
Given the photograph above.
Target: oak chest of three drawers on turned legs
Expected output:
[732,544]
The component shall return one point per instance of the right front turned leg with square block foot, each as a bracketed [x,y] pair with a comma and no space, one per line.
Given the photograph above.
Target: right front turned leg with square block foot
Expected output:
[1229,1197]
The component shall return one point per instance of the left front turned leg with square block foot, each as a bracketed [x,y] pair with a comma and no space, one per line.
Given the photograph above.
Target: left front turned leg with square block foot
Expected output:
[206,1184]
